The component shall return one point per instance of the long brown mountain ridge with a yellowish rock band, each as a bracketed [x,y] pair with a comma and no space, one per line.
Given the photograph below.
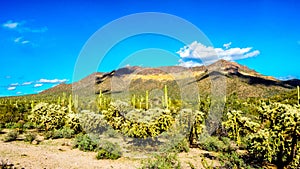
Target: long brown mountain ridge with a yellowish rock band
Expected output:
[233,77]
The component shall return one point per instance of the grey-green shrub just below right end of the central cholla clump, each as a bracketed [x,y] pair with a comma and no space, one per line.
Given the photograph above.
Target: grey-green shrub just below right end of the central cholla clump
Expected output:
[177,144]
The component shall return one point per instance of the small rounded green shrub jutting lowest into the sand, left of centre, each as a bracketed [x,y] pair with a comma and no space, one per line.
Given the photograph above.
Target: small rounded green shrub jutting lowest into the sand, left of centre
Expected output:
[108,150]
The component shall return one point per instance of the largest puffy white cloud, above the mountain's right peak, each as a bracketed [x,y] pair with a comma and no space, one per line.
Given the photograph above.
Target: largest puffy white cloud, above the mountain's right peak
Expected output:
[196,54]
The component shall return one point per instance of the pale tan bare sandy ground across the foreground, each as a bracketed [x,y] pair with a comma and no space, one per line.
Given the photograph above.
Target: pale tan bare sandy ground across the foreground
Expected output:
[59,154]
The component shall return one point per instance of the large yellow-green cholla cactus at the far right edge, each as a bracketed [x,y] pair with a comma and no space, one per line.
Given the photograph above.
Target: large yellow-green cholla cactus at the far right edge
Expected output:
[278,139]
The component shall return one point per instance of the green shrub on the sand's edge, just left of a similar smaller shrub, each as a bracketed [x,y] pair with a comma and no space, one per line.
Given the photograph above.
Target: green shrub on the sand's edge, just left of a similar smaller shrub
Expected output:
[85,143]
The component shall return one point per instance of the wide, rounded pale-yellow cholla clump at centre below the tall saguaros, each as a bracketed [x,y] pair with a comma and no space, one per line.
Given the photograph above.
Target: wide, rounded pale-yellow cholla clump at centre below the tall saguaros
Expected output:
[138,123]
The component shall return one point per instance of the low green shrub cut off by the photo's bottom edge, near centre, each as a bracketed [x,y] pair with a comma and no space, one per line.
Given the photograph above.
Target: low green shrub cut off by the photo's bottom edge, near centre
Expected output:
[162,161]
